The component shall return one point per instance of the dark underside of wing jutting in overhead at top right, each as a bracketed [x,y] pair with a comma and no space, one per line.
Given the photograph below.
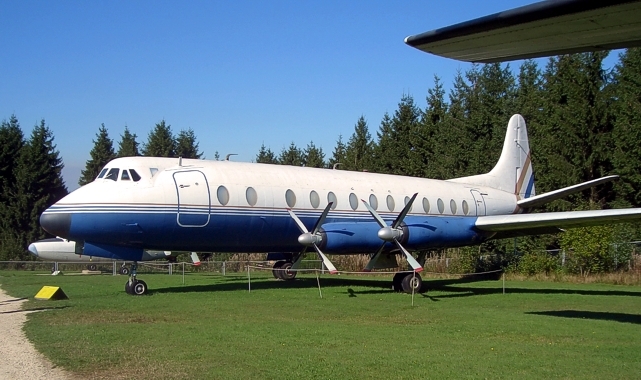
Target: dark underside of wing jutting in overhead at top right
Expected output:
[537,30]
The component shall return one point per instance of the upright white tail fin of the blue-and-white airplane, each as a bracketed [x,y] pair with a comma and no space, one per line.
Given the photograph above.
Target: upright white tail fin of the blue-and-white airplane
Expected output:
[513,172]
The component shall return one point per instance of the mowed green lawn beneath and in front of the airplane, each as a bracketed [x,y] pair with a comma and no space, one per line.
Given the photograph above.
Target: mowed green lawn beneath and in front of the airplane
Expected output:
[213,328]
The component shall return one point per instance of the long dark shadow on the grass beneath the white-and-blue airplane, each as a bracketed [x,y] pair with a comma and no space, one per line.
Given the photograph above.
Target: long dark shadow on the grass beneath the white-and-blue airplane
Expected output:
[353,287]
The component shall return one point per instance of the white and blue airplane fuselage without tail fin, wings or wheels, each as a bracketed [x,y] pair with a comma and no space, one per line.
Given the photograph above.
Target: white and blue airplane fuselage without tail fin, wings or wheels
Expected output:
[223,206]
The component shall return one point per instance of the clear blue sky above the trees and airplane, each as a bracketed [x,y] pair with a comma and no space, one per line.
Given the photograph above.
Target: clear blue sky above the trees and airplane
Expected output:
[239,73]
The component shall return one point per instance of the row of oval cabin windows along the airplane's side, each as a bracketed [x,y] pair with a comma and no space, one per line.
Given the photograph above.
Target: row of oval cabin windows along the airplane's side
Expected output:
[290,197]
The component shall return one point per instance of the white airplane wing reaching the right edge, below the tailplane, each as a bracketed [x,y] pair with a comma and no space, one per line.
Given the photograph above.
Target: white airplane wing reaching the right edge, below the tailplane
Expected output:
[567,219]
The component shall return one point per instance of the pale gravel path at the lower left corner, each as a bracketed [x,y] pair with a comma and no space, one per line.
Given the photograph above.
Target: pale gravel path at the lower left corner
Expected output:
[18,358]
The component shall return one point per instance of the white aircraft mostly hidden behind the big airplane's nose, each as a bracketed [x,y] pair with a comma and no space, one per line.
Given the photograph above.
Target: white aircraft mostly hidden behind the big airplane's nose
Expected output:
[62,250]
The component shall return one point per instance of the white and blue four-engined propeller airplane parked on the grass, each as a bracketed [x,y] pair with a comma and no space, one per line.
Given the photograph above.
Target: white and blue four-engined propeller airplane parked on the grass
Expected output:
[145,203]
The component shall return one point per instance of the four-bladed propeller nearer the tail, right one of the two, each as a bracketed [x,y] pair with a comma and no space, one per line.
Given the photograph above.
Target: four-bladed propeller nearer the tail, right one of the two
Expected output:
[392,234]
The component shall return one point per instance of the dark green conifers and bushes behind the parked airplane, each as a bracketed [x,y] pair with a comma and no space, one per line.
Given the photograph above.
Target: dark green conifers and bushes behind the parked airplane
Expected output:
[584,122]
